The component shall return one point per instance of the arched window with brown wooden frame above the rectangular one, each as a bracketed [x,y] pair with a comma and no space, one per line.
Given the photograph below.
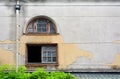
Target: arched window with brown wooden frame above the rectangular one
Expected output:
[41,25]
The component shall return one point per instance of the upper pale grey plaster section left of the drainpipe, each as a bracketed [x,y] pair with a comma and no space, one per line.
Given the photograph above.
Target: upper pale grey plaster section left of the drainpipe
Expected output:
[7,23]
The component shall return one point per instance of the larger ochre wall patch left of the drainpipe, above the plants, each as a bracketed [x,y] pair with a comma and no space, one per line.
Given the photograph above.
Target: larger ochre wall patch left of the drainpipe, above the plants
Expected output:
[6,57]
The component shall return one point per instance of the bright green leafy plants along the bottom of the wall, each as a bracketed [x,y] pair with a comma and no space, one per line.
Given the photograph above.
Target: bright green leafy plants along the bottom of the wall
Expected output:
[7,72]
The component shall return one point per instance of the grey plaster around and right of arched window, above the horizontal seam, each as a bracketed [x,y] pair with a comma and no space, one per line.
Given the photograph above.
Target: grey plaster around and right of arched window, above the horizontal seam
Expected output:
[84,24]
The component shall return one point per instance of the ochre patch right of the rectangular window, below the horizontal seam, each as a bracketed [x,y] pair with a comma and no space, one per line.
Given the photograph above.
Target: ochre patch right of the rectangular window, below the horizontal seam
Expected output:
[68,54]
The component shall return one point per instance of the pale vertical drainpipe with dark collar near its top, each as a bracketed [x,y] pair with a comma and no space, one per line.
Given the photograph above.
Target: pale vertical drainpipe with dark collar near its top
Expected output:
[17,9]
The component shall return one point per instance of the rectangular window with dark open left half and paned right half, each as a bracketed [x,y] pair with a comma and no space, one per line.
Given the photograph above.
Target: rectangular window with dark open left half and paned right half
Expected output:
[42,53]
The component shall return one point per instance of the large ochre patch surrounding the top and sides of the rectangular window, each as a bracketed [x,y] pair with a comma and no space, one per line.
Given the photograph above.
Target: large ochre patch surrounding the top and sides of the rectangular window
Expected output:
[67,53]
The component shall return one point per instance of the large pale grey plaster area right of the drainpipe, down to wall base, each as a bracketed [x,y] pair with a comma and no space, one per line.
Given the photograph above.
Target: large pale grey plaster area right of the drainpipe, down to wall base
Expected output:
[93,28]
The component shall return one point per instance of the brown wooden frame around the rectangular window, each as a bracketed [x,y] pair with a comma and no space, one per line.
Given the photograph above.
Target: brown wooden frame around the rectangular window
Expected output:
[41,64]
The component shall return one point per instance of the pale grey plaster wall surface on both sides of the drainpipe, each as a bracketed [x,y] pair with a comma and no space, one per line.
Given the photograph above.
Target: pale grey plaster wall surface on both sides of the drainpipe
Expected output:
[94,27]
